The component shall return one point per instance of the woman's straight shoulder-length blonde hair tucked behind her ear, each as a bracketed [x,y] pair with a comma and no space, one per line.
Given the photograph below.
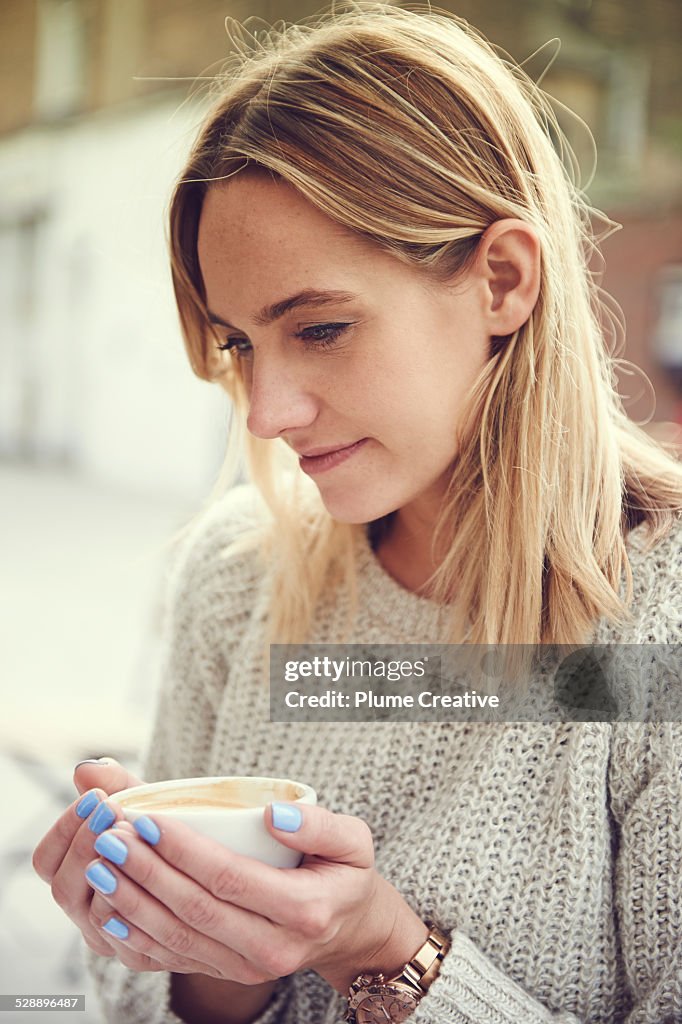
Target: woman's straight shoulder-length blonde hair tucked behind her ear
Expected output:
[404,124]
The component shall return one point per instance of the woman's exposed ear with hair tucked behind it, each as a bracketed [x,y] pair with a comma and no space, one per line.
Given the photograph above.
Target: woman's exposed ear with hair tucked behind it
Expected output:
[508,262]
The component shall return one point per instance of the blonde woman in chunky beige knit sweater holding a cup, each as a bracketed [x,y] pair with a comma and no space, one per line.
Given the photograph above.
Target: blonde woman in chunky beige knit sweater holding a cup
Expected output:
[377,251]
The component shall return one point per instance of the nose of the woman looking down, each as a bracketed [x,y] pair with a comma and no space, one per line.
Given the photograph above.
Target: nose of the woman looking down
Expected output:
[280,400]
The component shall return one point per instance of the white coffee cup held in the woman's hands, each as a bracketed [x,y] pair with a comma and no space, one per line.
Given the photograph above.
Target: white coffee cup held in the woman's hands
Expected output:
[228,809]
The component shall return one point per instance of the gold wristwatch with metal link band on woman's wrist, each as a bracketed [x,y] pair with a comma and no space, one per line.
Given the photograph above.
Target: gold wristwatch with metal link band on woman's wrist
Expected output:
[376,1000]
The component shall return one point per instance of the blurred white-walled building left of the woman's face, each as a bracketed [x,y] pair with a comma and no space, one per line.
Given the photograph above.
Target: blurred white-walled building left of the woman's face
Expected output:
[93,370]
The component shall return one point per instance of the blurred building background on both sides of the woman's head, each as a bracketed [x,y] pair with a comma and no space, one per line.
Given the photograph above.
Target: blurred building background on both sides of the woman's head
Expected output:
[98,108]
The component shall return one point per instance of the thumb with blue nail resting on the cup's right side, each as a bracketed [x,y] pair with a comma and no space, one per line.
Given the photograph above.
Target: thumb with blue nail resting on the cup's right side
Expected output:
[317,832]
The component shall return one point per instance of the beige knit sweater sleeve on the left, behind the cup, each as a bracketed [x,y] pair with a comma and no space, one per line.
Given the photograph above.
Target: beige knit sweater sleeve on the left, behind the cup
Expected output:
[193,675]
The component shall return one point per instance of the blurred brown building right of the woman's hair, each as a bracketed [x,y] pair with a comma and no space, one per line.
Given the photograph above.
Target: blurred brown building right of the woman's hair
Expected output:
[619,69]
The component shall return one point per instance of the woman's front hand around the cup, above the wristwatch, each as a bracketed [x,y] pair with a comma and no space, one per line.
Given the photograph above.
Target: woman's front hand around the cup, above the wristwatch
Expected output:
[183,903]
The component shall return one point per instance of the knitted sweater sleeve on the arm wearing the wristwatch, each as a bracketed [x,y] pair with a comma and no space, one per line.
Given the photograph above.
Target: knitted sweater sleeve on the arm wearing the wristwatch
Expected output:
[646,788]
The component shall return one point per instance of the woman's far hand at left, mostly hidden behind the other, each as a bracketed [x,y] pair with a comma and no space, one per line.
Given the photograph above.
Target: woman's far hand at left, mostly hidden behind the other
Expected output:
[64,854]
